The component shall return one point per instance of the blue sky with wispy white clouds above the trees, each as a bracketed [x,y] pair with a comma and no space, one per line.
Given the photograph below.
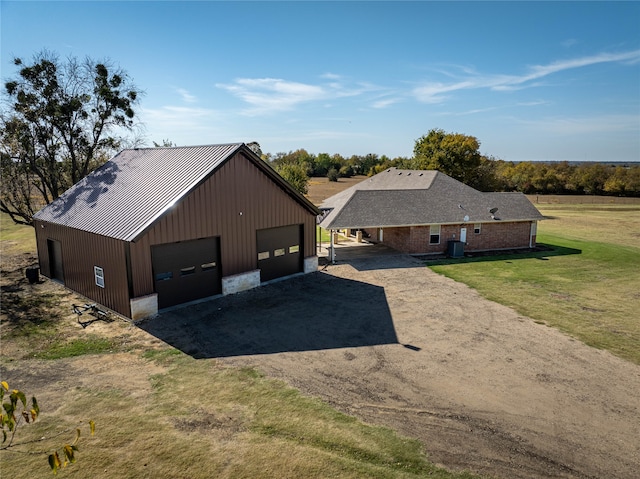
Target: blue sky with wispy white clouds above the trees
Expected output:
[530,80]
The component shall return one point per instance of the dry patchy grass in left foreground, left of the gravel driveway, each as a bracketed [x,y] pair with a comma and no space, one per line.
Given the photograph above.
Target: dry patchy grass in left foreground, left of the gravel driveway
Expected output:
[160,413]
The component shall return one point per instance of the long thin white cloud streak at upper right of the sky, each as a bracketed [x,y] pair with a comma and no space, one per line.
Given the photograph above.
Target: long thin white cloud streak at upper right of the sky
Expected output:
[437,92]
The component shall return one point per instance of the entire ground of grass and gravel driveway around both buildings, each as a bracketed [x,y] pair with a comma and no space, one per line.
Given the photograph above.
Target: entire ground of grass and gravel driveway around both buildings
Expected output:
[476,385]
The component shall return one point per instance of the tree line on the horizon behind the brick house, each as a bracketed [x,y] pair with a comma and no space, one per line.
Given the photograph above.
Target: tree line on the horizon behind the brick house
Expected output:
[457,155]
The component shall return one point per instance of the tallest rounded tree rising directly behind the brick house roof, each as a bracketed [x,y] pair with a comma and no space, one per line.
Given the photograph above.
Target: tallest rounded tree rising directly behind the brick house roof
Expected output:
[454,154]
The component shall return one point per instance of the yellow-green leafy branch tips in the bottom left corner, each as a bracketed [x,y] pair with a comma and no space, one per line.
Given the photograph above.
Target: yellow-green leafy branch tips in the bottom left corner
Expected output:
[17,409]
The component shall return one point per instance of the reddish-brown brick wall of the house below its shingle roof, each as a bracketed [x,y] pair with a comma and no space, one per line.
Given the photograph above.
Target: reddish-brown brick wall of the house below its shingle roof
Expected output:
[492,236]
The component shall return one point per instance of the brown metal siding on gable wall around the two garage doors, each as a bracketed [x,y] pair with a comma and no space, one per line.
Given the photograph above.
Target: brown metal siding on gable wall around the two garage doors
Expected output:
[213,209]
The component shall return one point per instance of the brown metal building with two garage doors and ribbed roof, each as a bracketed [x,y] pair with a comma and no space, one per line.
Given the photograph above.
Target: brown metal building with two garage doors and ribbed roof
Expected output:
[157,227]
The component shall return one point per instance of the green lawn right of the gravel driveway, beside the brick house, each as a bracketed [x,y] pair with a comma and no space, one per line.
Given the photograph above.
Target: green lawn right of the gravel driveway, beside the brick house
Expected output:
[587,285]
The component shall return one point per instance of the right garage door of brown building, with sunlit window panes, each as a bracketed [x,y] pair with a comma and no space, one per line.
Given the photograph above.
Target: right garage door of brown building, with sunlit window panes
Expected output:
[279,251]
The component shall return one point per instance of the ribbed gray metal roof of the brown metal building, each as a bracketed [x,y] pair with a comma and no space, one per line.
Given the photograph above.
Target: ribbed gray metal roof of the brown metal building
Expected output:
[123,197]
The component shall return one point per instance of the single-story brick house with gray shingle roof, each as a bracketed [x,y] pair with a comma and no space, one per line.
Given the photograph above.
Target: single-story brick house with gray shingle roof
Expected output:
[418,212]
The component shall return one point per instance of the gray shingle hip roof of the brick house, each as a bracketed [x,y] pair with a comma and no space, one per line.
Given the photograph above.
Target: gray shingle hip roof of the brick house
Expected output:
[414,197]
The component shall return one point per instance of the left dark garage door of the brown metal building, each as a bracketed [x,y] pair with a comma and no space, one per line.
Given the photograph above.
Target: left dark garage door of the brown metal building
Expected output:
[186,271]
